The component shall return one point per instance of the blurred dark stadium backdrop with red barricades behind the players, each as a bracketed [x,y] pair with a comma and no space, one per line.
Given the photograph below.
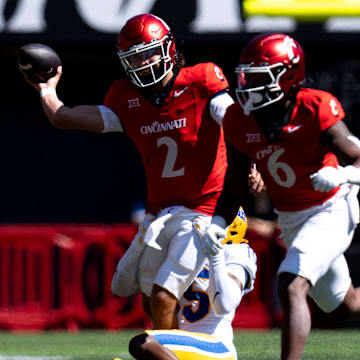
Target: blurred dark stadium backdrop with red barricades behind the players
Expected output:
[52,181]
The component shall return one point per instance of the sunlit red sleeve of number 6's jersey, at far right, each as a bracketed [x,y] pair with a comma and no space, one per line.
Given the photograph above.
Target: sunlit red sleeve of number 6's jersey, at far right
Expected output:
[330,111]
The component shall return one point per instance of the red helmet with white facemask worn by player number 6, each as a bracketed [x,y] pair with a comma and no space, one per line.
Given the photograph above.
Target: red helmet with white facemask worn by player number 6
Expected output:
[271,66]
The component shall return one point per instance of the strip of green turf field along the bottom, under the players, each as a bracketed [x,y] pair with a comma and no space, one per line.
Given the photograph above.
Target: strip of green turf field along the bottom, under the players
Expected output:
[101,345]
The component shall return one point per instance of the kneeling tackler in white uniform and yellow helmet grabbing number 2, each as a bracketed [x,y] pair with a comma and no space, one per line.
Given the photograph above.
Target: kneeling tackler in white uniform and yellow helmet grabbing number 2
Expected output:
[207,308]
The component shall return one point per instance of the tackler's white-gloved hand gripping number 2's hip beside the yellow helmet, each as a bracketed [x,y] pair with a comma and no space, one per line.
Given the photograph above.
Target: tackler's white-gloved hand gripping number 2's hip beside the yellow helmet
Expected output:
[212,235]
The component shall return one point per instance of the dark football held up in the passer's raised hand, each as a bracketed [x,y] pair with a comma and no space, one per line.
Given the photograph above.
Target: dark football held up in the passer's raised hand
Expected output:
[38,62]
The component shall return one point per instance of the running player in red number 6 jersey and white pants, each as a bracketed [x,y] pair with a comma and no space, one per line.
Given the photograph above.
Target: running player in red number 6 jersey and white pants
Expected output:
[297,137]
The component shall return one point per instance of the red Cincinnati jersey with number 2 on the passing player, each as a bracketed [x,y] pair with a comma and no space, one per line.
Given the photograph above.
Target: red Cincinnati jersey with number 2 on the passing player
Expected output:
[181,146]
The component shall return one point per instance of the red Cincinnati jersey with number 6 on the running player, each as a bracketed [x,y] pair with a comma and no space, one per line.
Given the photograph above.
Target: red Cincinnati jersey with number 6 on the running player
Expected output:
[286,165]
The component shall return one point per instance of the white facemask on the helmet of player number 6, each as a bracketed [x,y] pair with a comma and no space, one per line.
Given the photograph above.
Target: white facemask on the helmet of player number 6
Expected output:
[259,86]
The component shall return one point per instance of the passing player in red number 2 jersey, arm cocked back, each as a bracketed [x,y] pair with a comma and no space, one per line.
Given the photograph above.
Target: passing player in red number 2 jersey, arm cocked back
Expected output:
[173,116]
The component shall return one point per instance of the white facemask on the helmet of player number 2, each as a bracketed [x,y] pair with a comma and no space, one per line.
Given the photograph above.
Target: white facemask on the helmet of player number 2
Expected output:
[153,72]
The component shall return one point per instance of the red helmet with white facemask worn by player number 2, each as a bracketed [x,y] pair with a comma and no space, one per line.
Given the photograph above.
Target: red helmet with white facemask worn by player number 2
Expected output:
[146,48]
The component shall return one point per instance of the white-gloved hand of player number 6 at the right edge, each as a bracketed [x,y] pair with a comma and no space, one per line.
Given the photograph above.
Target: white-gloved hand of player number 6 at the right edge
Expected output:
[329,177]
